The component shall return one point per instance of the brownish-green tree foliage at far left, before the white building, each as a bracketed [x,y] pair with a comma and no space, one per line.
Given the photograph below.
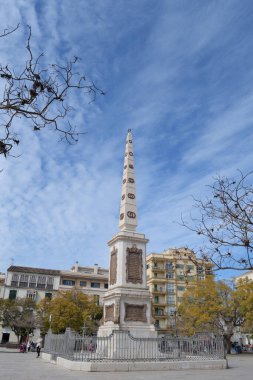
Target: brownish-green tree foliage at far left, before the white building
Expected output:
[19,315]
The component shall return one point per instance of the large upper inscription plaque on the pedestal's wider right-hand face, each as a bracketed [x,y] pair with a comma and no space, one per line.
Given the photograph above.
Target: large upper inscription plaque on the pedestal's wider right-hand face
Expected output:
[134,265]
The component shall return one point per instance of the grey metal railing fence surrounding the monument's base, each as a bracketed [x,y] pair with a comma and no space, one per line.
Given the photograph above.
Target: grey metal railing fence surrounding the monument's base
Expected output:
[122,346]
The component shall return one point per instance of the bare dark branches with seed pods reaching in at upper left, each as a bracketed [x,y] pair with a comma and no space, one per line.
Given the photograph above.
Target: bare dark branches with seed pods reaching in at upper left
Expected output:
[39,94]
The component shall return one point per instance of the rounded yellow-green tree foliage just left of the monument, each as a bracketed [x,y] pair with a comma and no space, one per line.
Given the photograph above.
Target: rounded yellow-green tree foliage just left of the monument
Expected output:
[72,309]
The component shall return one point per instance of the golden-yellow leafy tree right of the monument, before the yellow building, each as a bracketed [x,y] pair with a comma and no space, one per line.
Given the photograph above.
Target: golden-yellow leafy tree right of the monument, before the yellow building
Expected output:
[215,307]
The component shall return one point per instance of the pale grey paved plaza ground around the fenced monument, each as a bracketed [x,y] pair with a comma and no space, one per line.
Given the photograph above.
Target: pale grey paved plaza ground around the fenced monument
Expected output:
[18,366]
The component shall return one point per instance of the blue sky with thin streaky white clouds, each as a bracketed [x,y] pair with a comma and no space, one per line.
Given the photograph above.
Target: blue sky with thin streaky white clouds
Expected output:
[178,73]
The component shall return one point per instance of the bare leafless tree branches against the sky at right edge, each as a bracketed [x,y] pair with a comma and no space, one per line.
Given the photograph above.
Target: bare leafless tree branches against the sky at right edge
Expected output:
[226,222]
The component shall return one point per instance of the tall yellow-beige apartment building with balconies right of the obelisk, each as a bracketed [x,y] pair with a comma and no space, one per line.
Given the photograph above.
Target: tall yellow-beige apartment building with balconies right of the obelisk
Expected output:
[168,275]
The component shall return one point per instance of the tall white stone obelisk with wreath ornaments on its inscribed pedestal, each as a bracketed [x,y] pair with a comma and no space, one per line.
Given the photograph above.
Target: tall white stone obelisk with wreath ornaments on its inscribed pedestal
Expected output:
[127,303]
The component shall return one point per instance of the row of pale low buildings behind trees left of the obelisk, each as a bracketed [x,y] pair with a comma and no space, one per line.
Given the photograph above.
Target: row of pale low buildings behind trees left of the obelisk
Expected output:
[38,283]
